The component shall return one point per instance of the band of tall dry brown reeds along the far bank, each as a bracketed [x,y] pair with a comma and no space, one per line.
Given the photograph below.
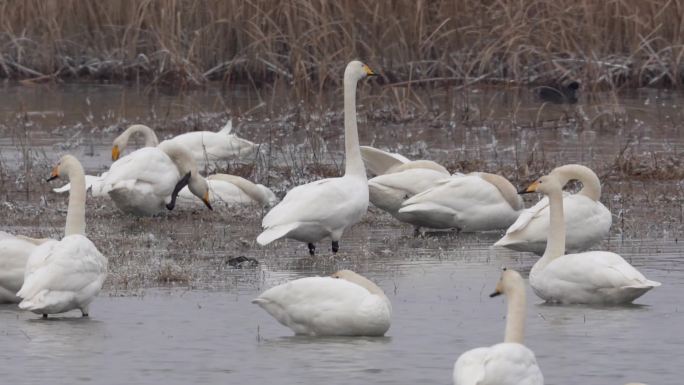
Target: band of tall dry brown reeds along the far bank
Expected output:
[307,42]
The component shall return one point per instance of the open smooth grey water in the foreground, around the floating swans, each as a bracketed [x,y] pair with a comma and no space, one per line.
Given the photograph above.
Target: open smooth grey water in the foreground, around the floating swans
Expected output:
[440,309]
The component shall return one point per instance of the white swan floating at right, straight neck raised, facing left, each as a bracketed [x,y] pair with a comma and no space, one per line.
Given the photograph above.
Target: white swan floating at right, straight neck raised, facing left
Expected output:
[592,277]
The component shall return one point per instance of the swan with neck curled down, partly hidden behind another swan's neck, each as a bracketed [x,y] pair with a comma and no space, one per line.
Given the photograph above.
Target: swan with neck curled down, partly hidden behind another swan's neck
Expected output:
[587,221]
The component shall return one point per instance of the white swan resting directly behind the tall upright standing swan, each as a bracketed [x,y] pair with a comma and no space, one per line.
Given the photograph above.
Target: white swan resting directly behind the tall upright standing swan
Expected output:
[398,178]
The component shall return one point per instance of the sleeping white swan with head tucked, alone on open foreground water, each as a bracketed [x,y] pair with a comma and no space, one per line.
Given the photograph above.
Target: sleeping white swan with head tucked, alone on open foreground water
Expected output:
[344,304]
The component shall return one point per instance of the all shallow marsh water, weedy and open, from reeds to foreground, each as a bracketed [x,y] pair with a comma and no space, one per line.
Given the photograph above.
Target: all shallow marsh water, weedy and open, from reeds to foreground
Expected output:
[202,329]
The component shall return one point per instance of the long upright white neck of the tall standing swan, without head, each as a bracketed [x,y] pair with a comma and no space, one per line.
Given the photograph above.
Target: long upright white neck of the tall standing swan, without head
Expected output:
[353,161]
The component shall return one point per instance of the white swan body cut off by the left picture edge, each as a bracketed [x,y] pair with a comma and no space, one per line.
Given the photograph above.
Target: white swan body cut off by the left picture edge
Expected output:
[14,252]
